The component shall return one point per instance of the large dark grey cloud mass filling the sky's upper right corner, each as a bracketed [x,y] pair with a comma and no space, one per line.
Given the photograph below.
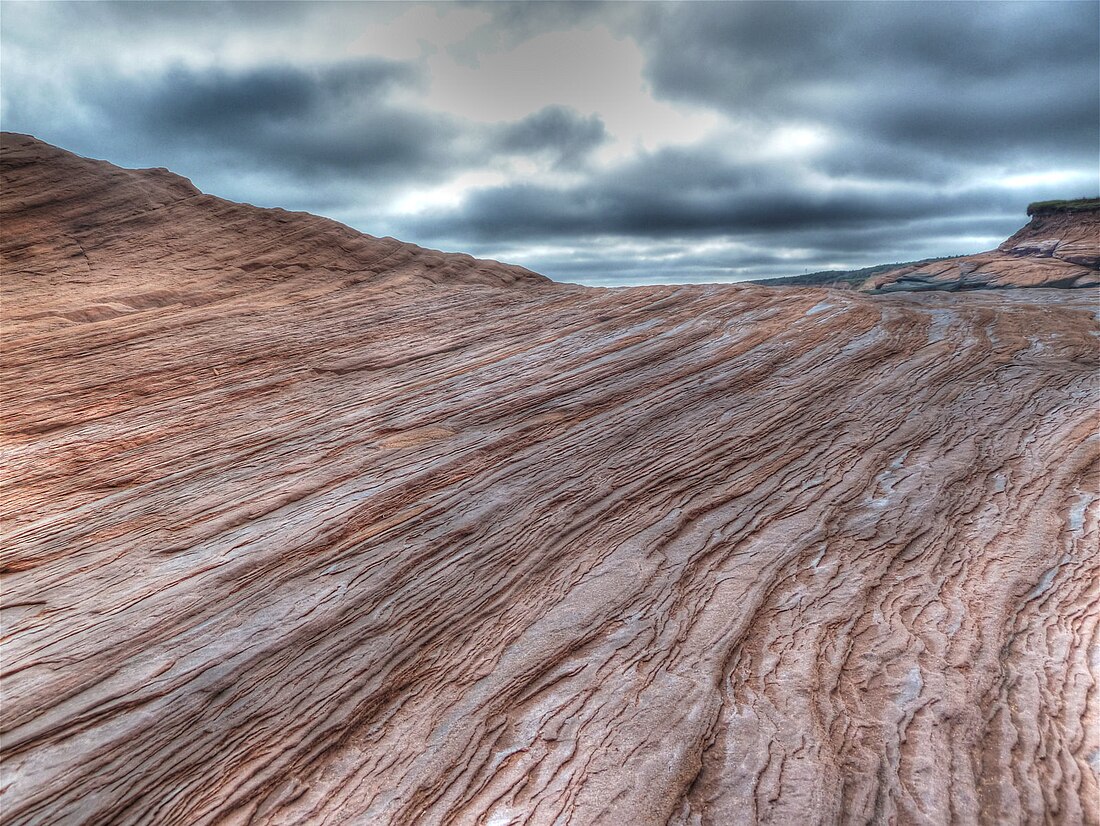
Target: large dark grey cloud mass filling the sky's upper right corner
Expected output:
[956,79]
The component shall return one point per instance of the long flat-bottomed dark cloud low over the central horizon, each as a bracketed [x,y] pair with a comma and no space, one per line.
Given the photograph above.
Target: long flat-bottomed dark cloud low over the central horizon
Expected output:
[688,193]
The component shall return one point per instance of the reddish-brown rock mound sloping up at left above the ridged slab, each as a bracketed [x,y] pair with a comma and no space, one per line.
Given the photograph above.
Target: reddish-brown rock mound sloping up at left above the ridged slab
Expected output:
[150,239]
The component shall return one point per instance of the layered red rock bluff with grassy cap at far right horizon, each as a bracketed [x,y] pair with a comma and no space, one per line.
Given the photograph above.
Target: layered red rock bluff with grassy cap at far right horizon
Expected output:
[1057,249]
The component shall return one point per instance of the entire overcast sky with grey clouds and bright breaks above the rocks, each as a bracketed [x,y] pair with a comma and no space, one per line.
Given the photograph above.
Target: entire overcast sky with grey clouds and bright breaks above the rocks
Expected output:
[600,144]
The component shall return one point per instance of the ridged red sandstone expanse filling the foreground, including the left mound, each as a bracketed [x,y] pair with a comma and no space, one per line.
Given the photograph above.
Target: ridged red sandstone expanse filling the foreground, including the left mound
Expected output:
[398,538]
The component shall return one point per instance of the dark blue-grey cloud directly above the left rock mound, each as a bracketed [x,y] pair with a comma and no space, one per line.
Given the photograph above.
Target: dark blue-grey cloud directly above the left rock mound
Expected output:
[307,122]
